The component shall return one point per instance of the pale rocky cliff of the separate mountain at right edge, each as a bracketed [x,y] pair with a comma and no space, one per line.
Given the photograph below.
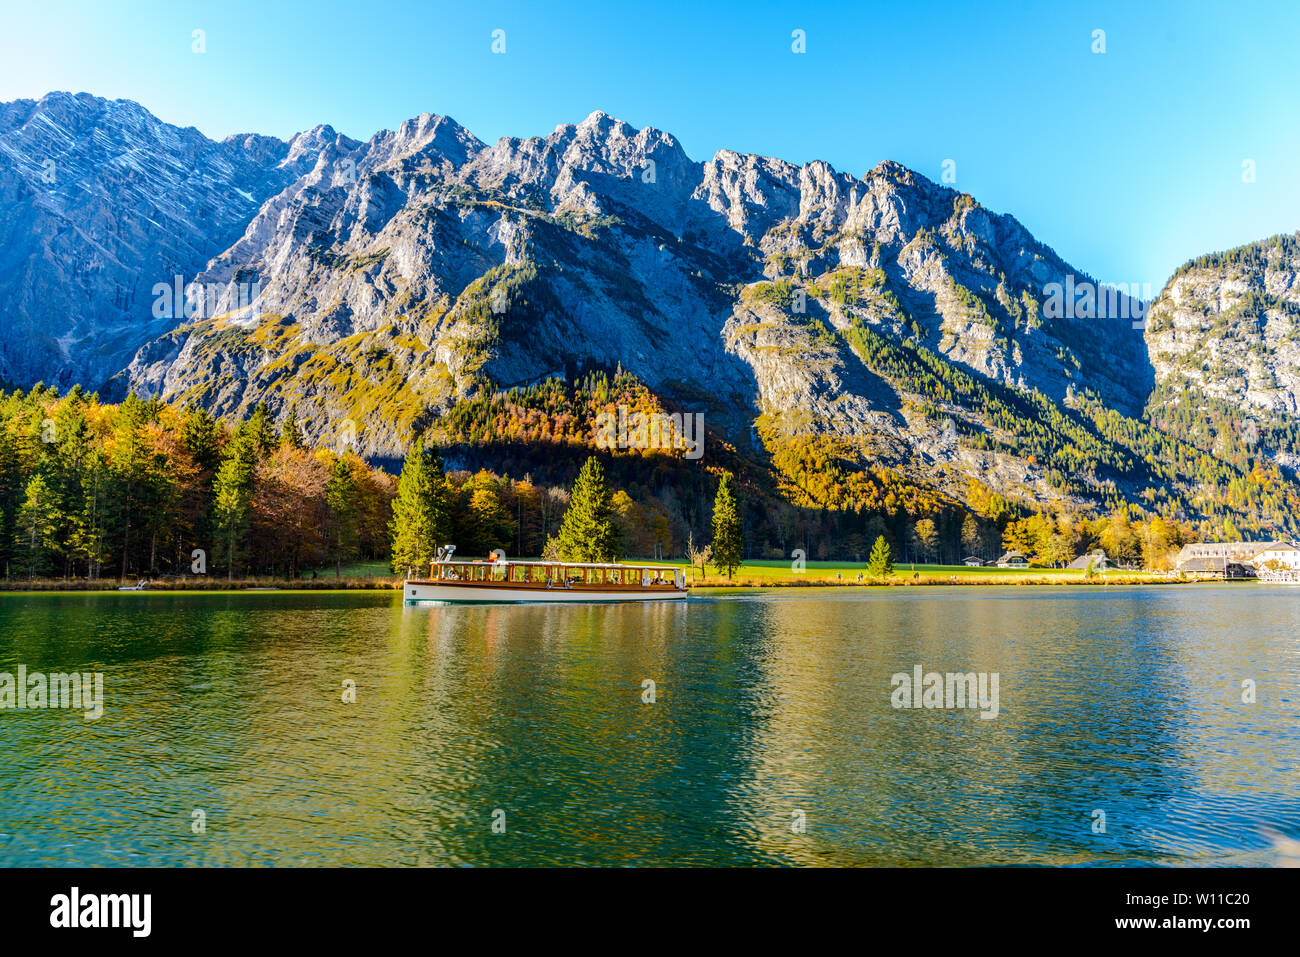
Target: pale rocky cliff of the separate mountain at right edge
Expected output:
[1224,339]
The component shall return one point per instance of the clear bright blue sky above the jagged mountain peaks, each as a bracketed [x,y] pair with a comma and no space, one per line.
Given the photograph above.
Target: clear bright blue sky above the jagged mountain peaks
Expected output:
[1128,162]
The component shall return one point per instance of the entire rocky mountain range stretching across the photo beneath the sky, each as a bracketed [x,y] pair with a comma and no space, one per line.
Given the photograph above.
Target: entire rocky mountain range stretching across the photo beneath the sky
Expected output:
[824,324]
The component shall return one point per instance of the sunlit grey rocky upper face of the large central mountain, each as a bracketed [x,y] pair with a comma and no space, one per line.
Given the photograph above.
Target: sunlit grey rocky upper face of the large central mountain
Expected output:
[402,274]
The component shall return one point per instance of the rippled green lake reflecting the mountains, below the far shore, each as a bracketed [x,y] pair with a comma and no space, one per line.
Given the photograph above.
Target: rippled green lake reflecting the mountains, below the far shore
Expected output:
[530,735]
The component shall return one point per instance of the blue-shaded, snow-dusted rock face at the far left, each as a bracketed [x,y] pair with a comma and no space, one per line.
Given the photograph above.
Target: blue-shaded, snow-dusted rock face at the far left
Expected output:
[99,203]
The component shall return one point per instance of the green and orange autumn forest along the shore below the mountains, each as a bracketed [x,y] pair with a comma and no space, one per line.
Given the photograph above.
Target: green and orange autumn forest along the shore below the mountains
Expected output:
[92,491]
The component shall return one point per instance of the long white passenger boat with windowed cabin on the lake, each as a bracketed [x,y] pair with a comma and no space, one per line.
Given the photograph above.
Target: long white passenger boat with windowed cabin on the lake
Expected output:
[544,582]
